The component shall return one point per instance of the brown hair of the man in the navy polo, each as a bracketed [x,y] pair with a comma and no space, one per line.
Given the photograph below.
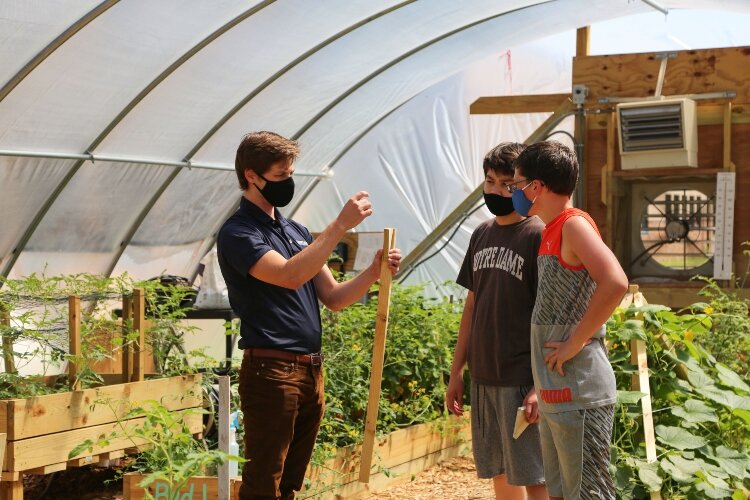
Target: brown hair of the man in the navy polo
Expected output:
[259,151]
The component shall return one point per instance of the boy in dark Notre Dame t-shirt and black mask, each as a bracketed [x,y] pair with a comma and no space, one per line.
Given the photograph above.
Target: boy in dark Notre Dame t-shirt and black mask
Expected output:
[499,271]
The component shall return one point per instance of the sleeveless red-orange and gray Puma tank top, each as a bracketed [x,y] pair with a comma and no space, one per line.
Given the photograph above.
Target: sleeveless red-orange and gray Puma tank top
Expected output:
[563,295]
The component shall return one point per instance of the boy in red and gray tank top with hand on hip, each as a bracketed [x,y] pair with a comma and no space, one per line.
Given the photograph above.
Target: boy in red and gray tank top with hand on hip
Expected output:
[580,284]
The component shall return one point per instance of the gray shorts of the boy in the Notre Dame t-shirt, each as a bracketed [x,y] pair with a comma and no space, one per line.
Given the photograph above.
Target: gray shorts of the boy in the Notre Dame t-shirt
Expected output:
[493,416]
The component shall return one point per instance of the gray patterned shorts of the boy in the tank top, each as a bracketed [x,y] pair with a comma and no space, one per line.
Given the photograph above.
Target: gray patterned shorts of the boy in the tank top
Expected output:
[575,445]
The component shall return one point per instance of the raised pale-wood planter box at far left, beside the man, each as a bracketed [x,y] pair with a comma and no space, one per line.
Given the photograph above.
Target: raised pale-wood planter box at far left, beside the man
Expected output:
[41,431]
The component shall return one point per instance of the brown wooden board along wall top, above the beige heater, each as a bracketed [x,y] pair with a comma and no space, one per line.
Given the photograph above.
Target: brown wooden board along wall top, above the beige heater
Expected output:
[691,72]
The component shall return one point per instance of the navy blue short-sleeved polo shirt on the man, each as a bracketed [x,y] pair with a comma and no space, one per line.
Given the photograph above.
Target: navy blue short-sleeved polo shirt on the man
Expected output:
[271,316]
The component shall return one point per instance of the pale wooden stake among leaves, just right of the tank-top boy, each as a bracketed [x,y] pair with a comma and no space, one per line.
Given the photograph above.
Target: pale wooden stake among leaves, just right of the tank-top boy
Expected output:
[639,382]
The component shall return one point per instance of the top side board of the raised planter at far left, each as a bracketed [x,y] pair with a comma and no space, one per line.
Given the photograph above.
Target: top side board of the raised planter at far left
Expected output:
[25,418]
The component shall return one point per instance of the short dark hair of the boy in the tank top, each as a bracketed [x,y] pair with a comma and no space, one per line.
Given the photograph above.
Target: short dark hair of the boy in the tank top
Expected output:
[552,163]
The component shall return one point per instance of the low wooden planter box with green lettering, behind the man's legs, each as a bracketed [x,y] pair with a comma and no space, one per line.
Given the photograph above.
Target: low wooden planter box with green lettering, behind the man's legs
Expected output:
[403,453]
